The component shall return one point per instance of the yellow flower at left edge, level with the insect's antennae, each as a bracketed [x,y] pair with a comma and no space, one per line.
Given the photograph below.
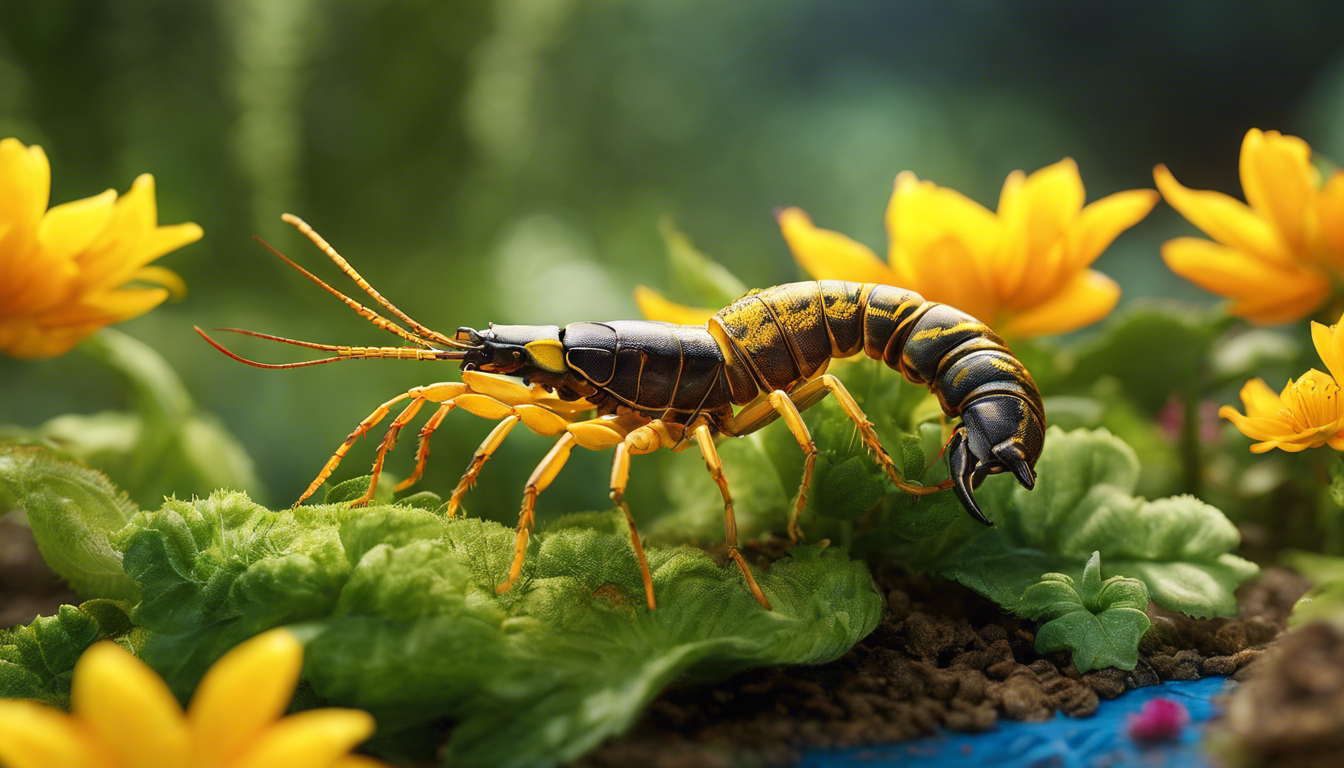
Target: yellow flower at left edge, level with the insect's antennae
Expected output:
[64,272]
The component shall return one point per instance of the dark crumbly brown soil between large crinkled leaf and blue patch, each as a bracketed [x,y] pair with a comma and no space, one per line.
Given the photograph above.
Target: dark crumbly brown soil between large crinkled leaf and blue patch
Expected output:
[943,657]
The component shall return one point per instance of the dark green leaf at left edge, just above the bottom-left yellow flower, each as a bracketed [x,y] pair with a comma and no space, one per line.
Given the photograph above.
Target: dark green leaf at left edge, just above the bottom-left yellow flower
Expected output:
[38,661]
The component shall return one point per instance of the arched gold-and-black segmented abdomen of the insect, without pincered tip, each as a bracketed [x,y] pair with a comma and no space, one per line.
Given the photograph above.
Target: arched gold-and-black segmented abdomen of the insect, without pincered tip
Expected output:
[782,337]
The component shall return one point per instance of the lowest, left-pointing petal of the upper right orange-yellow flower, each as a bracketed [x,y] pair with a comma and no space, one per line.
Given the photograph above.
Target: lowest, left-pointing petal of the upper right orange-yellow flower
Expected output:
[1267,293]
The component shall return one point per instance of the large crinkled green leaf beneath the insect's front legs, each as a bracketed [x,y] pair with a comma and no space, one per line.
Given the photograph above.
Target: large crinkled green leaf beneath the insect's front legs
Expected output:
[401,615]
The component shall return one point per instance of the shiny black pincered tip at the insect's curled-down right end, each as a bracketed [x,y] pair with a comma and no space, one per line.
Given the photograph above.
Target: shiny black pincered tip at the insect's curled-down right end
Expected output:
[998,434]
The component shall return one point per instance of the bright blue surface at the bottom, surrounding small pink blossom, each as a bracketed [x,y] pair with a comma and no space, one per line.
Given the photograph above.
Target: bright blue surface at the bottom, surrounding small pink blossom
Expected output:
[1099,742]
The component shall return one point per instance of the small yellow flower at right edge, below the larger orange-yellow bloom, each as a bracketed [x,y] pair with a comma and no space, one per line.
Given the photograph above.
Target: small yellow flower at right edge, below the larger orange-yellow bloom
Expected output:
[1308,412]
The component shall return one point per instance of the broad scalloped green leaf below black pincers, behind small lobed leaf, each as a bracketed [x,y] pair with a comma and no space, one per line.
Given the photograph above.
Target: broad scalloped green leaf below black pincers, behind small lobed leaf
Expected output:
[1181,548]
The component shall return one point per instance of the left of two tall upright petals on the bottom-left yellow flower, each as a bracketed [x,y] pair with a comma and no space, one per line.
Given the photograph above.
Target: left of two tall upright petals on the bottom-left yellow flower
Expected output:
[130,709]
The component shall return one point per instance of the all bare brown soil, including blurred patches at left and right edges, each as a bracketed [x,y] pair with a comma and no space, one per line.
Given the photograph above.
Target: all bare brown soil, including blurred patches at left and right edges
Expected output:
[943,657]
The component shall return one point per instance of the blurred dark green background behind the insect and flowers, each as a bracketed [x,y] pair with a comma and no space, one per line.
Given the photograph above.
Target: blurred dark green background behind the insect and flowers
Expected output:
[509,162]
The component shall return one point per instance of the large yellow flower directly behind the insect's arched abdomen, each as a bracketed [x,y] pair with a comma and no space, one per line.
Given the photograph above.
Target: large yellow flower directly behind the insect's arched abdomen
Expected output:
[1025,270]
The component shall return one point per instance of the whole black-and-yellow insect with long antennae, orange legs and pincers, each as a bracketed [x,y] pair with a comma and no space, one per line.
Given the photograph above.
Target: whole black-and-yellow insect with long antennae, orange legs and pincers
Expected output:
[640,385]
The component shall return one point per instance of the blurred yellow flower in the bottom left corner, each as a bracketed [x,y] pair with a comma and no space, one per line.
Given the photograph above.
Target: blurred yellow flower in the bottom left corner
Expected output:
[123,716]
